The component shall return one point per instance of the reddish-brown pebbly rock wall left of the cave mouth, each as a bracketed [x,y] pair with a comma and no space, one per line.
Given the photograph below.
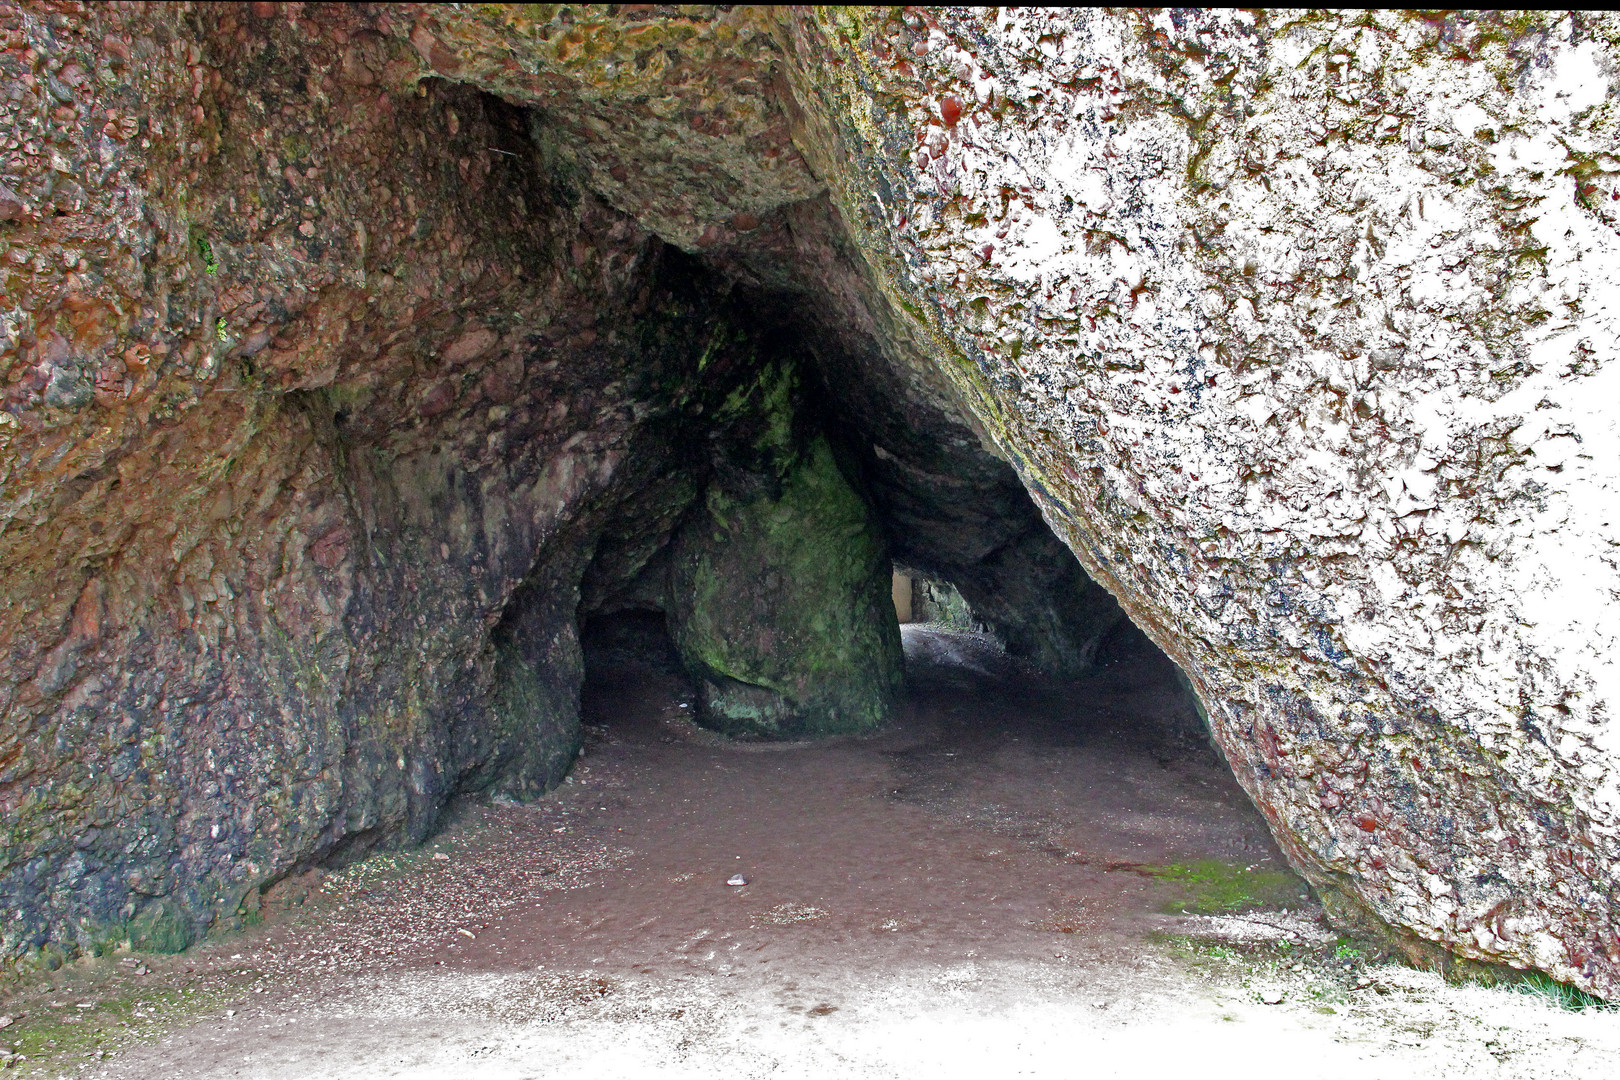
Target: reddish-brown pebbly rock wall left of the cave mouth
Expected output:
[322,383]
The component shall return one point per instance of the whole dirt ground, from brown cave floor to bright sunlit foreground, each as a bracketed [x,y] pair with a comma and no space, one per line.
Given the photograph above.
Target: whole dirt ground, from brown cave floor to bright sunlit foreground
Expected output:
[1017,880]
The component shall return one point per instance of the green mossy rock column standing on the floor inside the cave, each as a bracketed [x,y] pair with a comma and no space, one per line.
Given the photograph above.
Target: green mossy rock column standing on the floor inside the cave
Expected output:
[782,608]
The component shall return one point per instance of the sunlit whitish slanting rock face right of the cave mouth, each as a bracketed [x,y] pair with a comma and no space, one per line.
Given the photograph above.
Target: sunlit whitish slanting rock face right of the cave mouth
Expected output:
[1303,334]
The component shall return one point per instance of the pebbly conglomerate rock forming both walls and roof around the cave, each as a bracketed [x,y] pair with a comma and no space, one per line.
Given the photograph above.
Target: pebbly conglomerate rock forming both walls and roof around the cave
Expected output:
[352,354]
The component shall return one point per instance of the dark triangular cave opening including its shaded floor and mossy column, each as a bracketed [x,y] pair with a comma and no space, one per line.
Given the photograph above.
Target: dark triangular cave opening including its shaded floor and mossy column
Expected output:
[1038,778]
